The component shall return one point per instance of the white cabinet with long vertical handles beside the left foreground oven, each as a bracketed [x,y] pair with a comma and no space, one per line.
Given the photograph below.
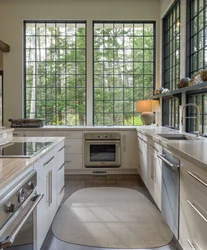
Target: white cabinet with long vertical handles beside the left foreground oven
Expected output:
[50,181]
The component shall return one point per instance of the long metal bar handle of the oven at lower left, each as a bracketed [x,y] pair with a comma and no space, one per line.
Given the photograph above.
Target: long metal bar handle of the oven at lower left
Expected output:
[11,238]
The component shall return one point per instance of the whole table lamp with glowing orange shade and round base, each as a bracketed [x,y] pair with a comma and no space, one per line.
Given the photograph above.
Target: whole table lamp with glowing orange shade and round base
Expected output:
[147,107]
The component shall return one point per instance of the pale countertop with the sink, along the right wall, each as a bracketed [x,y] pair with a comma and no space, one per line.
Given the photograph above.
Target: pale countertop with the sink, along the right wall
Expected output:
[193,150]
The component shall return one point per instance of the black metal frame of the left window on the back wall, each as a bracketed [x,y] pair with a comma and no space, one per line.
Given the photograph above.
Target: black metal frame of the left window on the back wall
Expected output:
[56,75]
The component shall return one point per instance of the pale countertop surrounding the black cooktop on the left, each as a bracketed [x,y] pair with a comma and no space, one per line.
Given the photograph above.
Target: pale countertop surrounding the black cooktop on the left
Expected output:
[12,168]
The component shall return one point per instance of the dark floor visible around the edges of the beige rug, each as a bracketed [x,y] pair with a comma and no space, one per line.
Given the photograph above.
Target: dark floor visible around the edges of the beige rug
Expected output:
[76,182]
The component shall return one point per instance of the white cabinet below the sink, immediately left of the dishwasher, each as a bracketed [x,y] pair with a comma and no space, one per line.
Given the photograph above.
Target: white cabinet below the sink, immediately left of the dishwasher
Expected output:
[155,172]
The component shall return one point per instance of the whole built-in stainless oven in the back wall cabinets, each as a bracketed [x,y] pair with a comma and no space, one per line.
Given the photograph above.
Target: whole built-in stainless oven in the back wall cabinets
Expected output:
[102,150]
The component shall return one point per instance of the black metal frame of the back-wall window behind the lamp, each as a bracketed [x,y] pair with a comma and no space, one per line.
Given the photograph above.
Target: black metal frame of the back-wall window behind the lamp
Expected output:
[154,65]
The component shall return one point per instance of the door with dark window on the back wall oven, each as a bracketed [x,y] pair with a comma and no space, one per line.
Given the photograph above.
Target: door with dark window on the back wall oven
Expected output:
[102,154]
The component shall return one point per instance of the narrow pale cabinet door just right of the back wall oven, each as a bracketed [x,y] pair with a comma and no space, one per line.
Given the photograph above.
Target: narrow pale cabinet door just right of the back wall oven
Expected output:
[129,157]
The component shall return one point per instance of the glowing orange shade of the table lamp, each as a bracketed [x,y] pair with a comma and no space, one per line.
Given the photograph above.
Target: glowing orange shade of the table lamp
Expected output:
[148,106]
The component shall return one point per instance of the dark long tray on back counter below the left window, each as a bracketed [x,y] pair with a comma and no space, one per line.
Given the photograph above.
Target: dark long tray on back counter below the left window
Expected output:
[26,123]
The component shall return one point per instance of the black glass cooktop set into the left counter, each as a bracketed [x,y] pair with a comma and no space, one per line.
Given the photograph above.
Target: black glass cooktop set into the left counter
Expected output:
[22,149]
